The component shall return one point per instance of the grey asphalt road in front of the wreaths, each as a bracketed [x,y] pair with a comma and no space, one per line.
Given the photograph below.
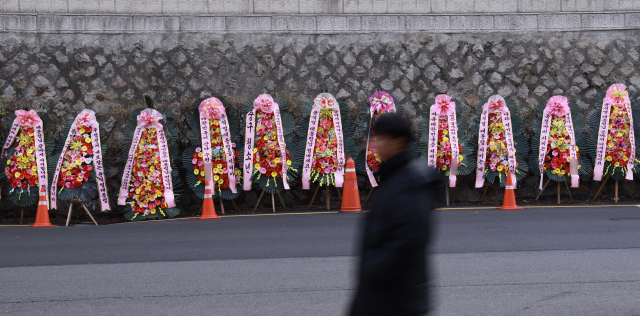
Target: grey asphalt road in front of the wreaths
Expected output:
[546,261]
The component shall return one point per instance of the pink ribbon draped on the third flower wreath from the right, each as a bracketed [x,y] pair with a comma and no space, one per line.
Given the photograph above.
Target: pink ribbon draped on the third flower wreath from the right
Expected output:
[496,104]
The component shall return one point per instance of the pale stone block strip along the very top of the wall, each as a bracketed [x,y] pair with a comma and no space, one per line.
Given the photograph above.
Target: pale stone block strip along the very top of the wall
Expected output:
[313,6]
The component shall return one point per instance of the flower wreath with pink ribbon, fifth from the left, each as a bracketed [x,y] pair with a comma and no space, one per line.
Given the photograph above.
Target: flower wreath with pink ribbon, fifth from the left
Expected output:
[267,160]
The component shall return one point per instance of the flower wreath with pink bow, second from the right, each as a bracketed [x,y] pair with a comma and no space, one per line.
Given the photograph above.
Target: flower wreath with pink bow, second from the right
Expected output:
[560,139]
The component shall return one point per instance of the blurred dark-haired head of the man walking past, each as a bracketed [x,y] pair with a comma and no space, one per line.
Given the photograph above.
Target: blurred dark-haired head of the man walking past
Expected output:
[392,132]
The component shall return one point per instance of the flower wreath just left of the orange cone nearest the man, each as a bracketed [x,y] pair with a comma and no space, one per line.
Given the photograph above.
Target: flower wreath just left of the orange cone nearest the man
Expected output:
[324,159]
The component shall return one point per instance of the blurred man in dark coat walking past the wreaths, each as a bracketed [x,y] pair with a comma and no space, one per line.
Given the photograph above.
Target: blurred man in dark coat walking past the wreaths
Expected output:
[392,276]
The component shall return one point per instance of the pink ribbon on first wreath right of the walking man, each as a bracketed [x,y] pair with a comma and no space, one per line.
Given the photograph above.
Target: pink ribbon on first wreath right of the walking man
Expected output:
[444,107]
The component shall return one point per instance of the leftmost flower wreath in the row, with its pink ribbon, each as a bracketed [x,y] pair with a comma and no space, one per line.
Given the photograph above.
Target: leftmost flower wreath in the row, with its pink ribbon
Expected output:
[24,153]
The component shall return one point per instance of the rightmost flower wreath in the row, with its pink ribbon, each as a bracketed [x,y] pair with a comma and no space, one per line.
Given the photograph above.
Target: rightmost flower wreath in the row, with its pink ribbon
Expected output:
[614,148]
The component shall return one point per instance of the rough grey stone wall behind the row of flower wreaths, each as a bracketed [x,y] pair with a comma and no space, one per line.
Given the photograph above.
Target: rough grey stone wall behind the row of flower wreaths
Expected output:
[174,60]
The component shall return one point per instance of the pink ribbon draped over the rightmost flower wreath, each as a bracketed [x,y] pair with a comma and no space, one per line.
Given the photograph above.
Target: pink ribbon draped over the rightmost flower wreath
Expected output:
[616,94]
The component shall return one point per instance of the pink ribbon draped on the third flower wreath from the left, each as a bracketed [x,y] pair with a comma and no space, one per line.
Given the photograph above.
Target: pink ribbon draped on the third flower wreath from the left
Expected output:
[149,119]
